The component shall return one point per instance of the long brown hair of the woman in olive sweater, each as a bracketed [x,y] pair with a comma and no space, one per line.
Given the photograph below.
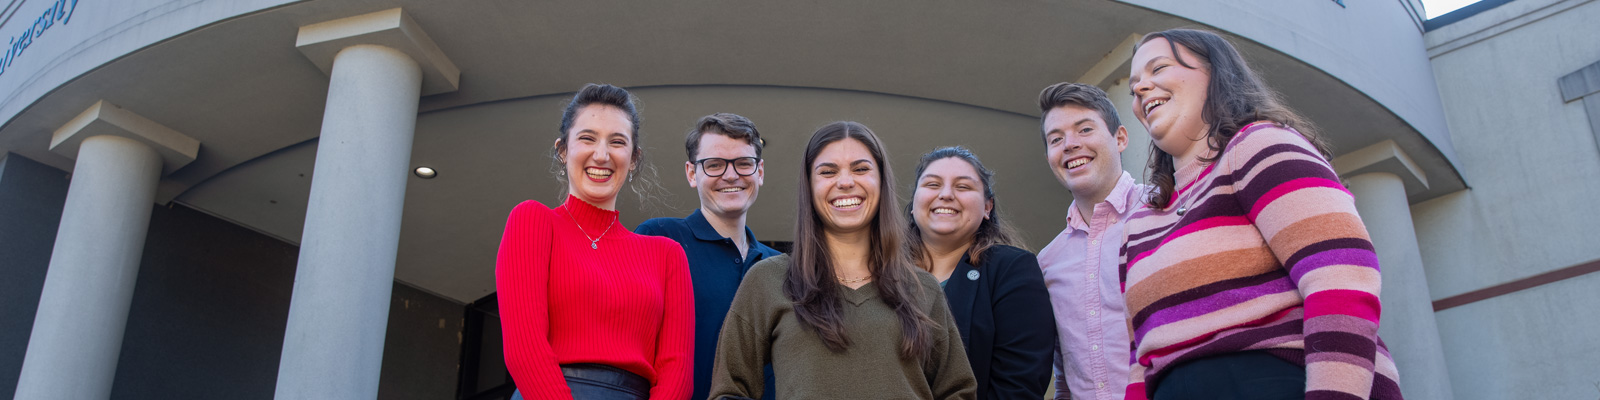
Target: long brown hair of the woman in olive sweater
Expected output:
[812,284]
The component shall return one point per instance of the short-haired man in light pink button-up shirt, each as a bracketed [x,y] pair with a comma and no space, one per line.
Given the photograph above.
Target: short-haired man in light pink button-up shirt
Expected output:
[1084,143]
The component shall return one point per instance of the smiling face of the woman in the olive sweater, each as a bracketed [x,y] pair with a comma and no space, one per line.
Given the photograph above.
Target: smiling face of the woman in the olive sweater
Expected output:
[846,186]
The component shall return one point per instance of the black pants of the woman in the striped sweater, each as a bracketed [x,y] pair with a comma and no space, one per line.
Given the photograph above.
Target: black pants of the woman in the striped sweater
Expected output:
[1234,377]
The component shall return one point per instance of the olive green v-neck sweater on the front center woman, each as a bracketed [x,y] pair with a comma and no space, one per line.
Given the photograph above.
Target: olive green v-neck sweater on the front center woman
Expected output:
[762,329]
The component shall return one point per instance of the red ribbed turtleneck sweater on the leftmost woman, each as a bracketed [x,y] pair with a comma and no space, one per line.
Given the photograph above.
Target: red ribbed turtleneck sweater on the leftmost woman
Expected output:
[628,305]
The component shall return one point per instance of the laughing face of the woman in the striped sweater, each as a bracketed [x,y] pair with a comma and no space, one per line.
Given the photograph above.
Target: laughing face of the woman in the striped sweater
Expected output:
[1169,98]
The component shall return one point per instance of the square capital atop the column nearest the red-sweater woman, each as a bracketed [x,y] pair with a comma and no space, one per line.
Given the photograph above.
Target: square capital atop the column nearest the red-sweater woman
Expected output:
[391,28]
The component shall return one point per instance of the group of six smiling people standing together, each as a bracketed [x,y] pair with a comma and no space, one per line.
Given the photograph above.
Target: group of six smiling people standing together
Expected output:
[1241,271]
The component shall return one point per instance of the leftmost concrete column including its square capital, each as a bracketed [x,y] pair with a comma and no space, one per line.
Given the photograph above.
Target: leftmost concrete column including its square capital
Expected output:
[78,334]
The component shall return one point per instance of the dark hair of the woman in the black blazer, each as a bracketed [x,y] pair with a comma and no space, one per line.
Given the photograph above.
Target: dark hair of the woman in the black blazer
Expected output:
[991,231]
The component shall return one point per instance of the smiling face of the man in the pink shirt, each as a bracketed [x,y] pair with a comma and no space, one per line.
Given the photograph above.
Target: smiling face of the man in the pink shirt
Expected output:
[1082,153]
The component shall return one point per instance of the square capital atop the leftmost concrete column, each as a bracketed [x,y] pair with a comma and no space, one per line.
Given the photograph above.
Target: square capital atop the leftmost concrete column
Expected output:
[103,118]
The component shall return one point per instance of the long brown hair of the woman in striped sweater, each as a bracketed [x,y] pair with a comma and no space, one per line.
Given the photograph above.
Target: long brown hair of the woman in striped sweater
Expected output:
[1234,98]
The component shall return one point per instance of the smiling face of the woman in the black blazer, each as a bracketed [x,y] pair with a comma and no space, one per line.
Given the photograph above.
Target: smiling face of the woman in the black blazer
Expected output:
[950,202]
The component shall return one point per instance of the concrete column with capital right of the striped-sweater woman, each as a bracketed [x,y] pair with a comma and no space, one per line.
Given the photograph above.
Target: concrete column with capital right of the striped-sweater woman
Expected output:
[1380,177]
